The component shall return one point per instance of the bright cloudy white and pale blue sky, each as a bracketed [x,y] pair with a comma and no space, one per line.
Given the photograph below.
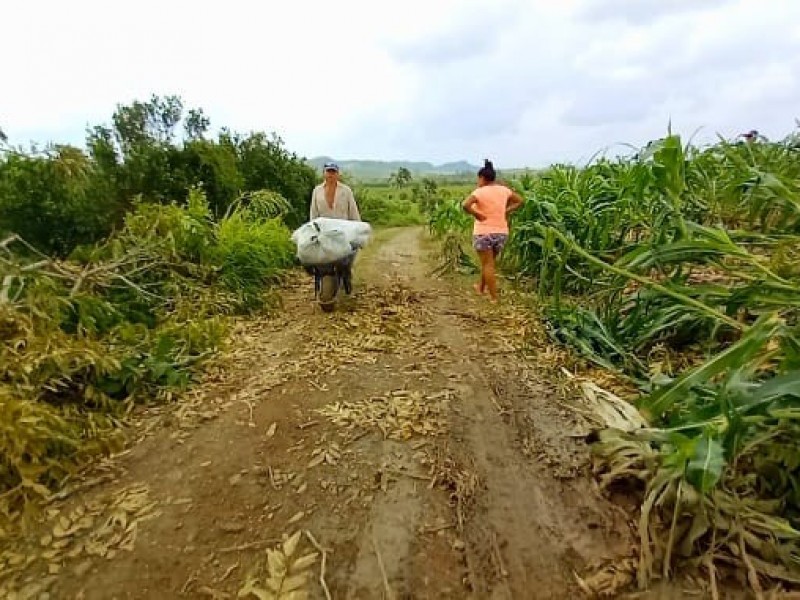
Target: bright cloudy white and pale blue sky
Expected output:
[522,82]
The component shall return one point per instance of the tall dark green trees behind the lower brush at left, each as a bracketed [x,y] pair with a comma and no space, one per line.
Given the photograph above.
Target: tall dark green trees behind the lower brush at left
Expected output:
[60,197]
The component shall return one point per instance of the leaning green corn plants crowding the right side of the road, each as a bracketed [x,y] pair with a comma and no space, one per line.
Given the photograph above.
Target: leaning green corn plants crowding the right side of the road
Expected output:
[679,271]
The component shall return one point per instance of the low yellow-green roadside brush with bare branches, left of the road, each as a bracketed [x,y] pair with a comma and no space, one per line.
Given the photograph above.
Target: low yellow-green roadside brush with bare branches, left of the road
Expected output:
[126,320]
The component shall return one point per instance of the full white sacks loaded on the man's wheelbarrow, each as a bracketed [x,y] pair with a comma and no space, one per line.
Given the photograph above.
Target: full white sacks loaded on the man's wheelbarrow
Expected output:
[323,240]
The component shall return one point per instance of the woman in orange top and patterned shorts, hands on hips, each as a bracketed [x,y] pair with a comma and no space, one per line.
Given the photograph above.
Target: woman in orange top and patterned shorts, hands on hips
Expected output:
[490,204]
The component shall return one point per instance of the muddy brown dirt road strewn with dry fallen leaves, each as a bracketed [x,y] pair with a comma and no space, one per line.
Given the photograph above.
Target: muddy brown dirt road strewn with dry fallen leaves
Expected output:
[410,436]
